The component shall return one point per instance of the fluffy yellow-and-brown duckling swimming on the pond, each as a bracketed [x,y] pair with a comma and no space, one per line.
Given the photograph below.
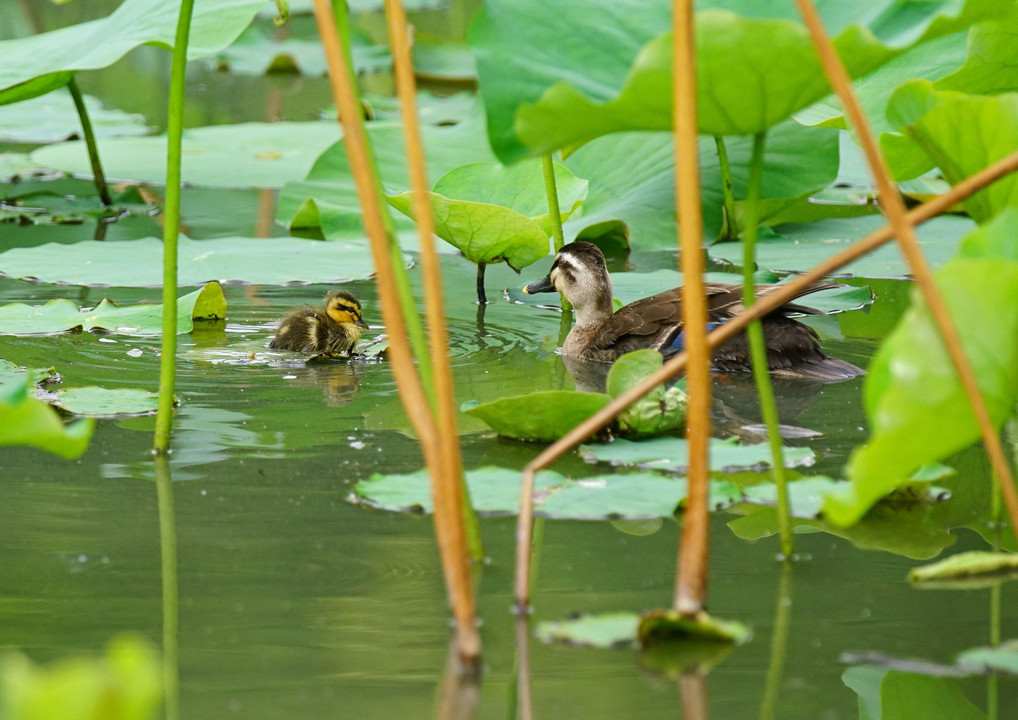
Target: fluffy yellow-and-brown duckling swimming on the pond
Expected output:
[334,330]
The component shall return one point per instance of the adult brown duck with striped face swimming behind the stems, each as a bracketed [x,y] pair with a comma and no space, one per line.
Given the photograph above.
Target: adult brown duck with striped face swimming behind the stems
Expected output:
[581,274]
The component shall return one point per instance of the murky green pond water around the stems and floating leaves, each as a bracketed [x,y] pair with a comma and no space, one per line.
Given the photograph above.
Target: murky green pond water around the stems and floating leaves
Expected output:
[296,602]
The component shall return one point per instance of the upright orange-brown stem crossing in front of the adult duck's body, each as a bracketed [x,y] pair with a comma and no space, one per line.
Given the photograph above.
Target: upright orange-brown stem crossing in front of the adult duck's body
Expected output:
[692,575]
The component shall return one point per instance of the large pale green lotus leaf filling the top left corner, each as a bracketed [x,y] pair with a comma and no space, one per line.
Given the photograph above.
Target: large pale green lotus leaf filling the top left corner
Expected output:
[35,66]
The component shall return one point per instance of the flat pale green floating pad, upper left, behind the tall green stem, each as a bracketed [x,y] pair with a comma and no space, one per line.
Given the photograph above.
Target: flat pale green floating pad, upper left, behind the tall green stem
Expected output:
[248,155]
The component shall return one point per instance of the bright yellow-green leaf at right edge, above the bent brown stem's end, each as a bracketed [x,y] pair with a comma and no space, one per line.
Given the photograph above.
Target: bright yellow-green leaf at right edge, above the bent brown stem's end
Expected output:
[960,134]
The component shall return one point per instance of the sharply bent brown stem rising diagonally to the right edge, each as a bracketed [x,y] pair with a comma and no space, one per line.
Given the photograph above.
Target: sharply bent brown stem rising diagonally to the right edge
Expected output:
[728,330]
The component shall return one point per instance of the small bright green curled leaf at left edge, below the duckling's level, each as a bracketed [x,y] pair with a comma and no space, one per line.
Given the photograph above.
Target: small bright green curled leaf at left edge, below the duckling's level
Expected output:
[26,421]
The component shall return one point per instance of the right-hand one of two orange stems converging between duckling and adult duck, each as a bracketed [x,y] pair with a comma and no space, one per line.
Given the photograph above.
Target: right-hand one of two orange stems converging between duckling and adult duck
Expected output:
[455,519]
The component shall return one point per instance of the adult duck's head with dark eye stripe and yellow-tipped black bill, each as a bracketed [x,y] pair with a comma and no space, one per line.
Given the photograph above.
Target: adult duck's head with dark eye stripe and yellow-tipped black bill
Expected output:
[581,274]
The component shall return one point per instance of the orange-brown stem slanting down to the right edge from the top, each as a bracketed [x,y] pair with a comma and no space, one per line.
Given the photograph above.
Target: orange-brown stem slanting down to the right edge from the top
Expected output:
[894,208]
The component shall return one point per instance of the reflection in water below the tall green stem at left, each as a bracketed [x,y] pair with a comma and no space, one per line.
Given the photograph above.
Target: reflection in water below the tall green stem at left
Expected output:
[168,546]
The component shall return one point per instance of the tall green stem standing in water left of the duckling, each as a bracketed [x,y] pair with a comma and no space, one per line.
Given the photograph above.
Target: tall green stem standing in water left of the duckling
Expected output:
[172,230]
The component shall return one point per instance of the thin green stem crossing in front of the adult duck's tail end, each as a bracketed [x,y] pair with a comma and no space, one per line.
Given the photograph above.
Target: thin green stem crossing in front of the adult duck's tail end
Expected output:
[758,349]
